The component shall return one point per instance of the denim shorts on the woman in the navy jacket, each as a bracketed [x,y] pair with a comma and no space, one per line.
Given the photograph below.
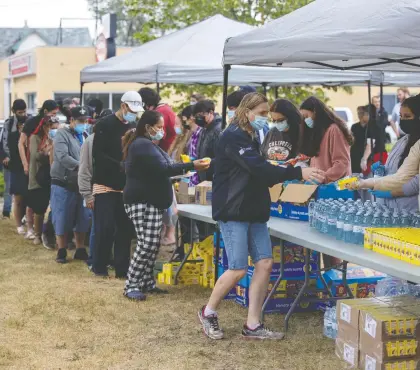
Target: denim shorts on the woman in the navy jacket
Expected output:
[244,238]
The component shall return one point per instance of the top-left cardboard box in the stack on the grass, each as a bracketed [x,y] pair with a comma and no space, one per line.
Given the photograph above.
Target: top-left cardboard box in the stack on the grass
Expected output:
[348,310]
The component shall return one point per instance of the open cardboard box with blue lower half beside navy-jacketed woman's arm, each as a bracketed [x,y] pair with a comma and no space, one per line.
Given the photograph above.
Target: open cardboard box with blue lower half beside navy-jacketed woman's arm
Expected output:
[292,201]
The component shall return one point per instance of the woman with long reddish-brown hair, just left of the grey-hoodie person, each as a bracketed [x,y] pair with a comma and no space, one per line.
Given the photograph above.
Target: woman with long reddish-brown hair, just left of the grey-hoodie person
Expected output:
[39,185]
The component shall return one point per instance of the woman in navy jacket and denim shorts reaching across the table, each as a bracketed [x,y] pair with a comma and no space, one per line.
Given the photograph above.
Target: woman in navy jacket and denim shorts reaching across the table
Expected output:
[241,206]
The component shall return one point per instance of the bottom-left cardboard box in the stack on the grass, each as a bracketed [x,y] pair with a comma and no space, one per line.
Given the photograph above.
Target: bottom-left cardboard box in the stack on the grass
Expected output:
[347,347]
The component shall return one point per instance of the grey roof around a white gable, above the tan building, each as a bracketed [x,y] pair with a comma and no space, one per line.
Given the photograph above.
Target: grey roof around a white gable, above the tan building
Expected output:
[12,37]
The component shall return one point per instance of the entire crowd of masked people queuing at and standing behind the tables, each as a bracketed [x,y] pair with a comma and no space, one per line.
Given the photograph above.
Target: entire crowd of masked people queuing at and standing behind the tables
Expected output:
[110,174]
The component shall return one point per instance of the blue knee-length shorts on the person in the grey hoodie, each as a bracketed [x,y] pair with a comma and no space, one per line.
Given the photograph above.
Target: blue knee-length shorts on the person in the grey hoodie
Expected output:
[68,212]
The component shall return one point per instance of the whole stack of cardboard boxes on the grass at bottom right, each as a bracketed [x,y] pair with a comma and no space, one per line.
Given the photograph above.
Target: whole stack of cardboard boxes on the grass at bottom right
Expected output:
[379,333]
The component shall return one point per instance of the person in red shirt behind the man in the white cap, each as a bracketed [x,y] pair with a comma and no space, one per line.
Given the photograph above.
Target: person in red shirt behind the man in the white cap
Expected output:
[152,101]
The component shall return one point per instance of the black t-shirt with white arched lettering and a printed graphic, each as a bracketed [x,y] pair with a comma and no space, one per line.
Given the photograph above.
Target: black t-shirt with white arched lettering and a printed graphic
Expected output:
[277,146]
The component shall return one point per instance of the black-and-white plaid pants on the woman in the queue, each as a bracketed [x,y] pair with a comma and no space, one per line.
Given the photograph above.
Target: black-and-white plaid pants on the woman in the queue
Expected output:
[147,221]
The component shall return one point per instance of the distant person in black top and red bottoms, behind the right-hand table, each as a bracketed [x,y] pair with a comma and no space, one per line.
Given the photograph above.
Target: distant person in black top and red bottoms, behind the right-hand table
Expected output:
[378,123]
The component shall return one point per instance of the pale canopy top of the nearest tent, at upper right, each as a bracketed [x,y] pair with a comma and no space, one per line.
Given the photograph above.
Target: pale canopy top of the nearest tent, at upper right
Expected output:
[368,35]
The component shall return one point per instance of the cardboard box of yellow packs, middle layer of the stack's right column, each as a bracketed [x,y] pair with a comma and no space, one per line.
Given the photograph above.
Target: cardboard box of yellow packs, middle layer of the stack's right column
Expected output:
[390,349]
